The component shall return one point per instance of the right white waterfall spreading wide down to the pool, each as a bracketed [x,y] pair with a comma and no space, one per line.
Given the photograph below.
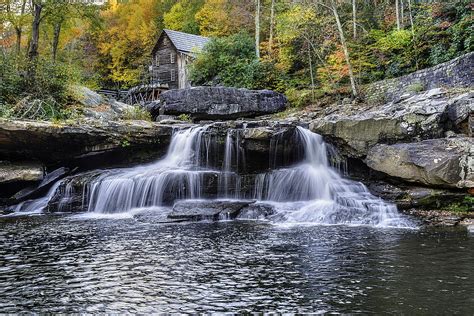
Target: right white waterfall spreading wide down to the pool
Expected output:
[320,195]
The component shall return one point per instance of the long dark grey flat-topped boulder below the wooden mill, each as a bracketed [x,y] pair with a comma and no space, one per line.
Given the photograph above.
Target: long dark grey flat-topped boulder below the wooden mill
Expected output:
[218,103]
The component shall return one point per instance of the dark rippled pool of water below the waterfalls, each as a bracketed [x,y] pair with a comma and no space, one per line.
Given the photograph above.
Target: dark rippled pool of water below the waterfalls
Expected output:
[69,263]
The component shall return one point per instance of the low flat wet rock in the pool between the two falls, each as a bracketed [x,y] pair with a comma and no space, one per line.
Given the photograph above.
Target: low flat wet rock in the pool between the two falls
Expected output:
[196,210]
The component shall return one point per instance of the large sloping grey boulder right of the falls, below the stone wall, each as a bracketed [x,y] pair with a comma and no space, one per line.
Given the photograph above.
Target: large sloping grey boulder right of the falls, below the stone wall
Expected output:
[427,115]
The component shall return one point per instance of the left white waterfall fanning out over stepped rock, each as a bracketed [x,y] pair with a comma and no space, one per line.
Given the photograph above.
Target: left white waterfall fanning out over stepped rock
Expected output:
[123,190]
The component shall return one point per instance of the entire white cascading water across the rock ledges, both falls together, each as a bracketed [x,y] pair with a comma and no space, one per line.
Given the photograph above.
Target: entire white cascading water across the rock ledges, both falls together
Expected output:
[309,191]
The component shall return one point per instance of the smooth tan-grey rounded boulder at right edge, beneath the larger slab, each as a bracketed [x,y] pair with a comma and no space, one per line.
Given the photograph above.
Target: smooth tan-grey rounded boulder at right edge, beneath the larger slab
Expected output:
[444,162]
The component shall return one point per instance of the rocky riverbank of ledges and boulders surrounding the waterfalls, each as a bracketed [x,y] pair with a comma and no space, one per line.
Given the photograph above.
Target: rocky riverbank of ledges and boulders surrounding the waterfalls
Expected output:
[415,151]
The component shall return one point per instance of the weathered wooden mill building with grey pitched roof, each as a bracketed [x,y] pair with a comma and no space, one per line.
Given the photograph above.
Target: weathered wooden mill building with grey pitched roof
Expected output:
[171,55]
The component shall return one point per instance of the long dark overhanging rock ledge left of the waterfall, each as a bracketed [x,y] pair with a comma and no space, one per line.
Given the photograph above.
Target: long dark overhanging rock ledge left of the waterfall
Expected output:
[52,142]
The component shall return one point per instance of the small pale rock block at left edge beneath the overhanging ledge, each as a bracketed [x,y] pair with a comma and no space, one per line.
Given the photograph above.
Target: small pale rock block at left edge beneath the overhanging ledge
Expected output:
[20,172]
